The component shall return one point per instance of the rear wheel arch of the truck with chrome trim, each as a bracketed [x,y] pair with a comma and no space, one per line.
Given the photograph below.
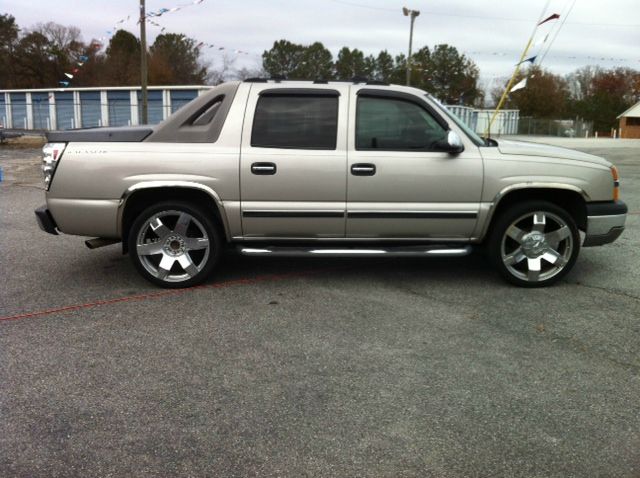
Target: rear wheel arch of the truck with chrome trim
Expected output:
[142,195]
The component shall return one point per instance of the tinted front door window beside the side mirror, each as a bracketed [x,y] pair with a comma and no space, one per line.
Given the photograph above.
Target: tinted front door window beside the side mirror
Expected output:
[395,125]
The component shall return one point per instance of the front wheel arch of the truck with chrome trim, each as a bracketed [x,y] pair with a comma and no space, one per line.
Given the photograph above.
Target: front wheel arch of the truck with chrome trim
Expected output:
[569,197]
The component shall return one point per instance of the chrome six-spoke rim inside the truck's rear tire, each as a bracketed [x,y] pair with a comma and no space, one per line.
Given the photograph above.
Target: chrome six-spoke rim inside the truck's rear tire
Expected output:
[173,246]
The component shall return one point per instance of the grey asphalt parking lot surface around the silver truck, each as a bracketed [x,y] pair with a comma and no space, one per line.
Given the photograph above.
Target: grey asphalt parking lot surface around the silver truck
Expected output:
[314,367]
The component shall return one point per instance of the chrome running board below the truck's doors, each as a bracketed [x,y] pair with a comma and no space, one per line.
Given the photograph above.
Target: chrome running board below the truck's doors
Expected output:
[400,251]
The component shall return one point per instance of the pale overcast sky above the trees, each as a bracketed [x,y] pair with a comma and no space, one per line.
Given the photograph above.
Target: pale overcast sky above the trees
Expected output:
[491,32]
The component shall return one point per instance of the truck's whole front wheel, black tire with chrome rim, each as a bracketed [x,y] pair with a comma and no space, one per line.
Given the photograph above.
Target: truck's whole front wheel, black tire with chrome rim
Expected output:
[534,244]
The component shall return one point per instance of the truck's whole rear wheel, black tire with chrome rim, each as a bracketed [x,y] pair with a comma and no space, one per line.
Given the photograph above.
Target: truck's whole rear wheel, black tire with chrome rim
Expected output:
[181,253]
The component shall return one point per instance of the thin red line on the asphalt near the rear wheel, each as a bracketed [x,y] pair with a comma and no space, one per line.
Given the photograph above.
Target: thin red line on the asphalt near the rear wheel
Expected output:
[165,293]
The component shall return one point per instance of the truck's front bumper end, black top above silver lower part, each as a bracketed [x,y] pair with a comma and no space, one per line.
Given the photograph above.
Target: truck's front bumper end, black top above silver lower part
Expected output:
[605,222]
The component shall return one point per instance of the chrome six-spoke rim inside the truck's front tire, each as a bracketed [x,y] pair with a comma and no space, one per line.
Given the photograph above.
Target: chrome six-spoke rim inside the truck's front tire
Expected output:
[537,246]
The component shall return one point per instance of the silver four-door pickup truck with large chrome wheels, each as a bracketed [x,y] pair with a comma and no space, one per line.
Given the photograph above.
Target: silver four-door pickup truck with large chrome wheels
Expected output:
[290,168]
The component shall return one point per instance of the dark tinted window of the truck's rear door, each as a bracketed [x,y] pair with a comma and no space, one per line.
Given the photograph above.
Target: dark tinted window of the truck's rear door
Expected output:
[303,122]
